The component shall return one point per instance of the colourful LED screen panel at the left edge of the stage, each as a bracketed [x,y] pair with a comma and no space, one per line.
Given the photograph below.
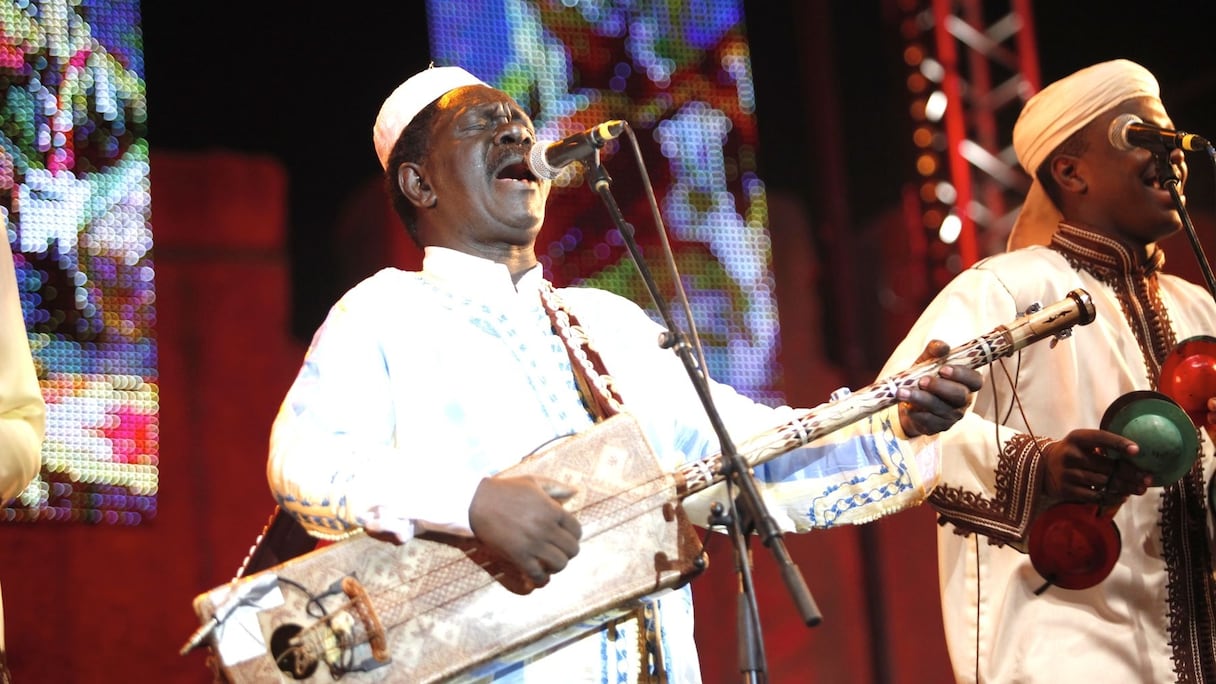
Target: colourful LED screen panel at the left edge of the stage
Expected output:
[75,201]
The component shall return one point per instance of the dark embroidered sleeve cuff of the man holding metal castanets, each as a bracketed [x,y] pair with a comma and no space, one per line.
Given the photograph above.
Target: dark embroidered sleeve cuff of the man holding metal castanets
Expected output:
[1005,518]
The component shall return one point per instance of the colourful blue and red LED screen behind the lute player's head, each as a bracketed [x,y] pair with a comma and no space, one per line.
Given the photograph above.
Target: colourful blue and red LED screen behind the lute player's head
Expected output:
[682,76]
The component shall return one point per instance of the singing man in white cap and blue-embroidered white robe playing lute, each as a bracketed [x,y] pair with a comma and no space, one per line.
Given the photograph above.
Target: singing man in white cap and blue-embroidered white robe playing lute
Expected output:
[420,386]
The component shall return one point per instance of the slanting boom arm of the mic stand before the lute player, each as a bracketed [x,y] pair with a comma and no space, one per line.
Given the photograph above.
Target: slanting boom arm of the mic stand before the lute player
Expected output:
[735,468]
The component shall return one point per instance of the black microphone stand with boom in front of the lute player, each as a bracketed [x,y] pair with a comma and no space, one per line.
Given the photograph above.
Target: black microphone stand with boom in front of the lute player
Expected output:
[734,467]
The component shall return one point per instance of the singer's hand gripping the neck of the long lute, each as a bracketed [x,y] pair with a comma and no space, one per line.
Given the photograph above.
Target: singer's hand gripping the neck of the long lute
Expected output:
[938,401]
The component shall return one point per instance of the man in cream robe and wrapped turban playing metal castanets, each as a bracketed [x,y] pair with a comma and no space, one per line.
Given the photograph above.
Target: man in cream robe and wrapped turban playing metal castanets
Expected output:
[1093,220]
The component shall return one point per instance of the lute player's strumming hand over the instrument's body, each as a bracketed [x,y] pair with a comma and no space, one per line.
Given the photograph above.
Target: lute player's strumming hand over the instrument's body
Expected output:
[522,520]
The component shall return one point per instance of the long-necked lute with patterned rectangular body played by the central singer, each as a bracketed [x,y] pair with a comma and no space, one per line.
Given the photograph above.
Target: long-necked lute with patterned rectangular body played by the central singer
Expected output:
[447,609]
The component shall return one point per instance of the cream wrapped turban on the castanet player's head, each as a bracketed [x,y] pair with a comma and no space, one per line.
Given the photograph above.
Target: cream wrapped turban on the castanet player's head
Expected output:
[1051,117]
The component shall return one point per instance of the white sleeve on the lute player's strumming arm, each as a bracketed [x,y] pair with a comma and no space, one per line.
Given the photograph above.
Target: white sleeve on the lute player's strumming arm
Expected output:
[336,459]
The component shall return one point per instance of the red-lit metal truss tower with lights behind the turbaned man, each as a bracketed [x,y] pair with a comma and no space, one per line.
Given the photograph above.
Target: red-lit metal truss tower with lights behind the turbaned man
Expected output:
[971,66]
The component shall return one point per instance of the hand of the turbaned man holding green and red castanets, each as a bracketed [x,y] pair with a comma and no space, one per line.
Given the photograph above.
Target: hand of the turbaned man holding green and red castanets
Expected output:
[1079,469]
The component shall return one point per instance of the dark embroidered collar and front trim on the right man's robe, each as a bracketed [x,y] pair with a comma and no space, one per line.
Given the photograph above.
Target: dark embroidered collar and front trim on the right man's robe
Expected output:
[1184,518]
